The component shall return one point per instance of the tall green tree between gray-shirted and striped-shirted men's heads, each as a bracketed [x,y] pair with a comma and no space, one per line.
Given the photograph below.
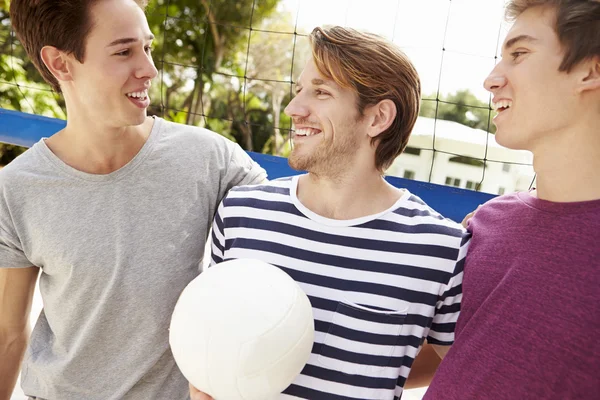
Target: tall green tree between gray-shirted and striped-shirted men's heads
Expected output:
[197,40]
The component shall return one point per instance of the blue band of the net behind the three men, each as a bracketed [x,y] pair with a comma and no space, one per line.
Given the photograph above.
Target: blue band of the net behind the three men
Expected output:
[26,129]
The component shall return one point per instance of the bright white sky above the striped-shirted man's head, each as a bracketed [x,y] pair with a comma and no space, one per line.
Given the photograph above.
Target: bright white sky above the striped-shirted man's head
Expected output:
[470,31]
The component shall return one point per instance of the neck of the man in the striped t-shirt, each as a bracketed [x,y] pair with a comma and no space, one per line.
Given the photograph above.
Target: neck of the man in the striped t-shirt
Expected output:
[351,195]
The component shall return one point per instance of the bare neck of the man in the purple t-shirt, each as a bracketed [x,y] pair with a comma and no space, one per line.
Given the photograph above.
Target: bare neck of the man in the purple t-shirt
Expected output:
[567,165]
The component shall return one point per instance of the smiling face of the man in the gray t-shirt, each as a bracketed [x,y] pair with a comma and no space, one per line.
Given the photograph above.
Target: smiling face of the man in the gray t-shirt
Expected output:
[111,85]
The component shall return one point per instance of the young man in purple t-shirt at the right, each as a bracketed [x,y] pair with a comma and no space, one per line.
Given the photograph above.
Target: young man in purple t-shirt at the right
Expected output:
[530,314]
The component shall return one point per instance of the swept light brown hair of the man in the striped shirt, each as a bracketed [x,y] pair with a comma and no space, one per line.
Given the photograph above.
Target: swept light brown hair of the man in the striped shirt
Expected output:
[376,70]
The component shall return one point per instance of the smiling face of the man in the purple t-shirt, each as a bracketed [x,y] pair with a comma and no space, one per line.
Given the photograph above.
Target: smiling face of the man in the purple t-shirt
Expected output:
[534,100]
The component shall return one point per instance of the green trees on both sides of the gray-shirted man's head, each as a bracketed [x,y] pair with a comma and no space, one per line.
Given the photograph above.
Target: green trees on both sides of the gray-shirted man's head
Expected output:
[200,46]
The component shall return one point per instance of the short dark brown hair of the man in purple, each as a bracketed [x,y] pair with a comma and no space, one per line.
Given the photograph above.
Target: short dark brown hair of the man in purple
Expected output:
[577,26]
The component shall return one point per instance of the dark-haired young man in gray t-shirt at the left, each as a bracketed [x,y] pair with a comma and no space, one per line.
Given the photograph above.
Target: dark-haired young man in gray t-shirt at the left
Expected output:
[114,210]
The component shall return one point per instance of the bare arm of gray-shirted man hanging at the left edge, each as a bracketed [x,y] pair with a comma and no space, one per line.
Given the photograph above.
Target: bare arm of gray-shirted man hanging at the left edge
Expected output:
[16,295]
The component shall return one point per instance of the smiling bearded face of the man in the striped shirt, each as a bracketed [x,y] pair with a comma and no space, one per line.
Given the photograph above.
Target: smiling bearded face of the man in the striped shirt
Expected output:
[327,124]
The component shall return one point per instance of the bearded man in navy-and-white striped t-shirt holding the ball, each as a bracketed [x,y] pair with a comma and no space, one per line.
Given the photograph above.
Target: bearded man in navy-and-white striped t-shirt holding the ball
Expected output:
[383,271]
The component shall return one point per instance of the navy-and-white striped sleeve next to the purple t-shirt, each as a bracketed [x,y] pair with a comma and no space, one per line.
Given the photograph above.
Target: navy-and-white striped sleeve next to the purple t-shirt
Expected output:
[448,305]
